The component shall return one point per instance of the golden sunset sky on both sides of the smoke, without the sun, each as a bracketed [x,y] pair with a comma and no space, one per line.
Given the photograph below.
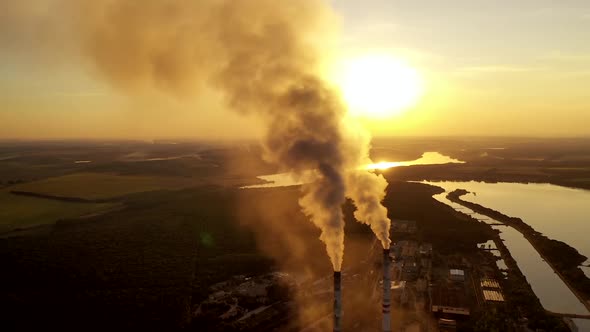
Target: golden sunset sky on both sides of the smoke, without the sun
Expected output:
[492,68]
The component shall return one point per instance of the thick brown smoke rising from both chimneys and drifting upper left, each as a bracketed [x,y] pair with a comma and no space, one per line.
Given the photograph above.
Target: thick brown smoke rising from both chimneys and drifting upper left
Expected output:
[262,56]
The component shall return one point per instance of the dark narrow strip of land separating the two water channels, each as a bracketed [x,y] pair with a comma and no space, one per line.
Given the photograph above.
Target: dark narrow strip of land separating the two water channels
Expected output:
[562,258]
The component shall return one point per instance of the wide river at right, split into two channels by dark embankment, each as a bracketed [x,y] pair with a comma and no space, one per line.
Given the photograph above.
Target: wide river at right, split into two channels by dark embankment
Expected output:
[558,212]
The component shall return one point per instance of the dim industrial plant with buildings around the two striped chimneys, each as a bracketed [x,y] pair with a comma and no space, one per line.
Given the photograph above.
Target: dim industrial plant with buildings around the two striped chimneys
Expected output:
[419,289]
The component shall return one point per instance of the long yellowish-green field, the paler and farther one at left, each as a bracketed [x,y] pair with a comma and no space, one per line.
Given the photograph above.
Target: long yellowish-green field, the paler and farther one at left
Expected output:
[101,186]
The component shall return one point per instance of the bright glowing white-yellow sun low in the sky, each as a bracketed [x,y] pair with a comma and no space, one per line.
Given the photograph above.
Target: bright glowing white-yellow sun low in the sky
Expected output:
[378,86]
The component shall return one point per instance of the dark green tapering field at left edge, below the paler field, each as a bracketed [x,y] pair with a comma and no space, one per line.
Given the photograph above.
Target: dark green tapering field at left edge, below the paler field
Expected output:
[23,212]
